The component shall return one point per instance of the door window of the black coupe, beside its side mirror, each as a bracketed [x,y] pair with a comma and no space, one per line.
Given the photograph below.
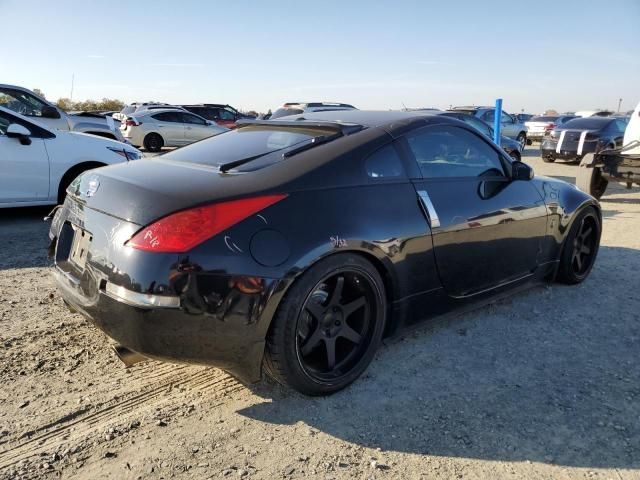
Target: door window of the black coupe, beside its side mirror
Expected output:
[445,152]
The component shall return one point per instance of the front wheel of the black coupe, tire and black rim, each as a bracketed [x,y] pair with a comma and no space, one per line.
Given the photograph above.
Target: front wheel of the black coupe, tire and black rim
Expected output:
[580,247]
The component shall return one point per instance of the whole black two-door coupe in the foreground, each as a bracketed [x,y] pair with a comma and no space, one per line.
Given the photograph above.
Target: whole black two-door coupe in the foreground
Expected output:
[296,245]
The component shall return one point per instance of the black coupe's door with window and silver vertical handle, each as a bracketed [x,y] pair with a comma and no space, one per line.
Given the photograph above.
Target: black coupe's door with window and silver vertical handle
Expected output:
[487,229]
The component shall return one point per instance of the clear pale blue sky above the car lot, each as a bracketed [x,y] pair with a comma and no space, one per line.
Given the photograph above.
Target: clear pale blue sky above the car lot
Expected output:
[567,55]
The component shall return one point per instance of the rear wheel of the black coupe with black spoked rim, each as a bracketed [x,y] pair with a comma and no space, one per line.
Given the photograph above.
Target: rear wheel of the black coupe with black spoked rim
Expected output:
[304,326]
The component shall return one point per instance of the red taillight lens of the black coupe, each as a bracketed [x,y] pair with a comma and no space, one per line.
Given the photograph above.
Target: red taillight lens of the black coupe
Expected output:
[181,231]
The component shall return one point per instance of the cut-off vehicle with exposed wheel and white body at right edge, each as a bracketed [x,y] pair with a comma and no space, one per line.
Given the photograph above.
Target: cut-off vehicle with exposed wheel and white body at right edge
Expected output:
[620,165]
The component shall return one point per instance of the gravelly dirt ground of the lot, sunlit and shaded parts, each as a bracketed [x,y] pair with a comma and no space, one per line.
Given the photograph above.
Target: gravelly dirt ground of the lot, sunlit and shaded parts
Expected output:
[544,385]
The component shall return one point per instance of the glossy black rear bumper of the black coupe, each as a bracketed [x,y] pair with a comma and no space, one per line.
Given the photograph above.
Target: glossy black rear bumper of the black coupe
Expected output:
[162,306]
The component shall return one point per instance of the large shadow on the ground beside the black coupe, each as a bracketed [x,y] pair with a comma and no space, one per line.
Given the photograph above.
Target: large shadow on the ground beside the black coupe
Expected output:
[547,376]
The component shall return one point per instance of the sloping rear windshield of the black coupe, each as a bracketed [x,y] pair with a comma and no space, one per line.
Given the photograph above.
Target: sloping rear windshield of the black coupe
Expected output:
[251,141]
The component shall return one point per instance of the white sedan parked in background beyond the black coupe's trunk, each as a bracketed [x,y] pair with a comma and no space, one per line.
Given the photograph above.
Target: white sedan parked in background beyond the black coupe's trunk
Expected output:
[167,127]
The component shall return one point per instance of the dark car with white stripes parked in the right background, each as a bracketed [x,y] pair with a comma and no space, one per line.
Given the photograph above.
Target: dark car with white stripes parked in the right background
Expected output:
[579,136]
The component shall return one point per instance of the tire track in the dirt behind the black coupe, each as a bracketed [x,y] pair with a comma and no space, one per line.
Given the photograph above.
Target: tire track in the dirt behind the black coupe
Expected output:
[170,385]
